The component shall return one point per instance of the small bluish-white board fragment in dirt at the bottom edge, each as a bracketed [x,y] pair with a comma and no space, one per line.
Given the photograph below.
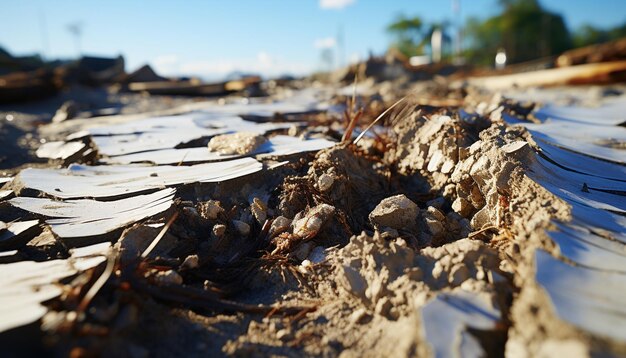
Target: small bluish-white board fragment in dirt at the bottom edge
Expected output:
[448,316]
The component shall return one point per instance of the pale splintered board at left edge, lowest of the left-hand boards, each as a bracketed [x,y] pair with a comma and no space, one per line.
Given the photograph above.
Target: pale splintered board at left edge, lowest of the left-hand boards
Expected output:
[27,284]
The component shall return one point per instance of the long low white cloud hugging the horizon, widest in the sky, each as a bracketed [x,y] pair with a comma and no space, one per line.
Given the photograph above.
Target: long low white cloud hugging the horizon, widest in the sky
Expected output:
[263,64]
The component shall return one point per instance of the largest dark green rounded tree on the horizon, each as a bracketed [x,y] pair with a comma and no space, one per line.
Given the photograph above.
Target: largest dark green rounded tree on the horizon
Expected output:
[524,29]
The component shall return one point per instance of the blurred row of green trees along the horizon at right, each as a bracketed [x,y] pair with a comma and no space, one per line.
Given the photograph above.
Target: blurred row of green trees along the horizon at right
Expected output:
[524,29]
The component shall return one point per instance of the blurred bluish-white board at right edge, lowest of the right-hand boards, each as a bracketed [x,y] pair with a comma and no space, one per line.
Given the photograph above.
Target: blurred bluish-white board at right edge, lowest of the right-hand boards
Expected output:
[592,300]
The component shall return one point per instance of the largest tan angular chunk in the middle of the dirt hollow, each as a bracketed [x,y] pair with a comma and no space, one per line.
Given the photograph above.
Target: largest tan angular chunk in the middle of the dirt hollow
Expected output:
[396,212]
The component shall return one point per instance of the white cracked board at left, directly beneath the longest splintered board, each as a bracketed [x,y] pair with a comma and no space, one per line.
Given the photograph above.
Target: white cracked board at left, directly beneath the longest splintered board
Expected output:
[86,217]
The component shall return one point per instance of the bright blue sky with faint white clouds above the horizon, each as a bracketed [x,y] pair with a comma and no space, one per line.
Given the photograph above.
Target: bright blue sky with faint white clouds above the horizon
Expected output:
[212,38]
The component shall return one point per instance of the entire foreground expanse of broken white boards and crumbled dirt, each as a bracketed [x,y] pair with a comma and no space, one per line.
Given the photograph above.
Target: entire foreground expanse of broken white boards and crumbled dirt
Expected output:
[488,230]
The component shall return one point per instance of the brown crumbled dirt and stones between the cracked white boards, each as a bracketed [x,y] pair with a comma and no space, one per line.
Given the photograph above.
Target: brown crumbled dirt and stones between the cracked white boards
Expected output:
[350,251]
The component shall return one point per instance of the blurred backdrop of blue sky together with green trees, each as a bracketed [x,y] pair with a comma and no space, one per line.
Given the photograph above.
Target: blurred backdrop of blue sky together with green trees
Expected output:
[217,40]
